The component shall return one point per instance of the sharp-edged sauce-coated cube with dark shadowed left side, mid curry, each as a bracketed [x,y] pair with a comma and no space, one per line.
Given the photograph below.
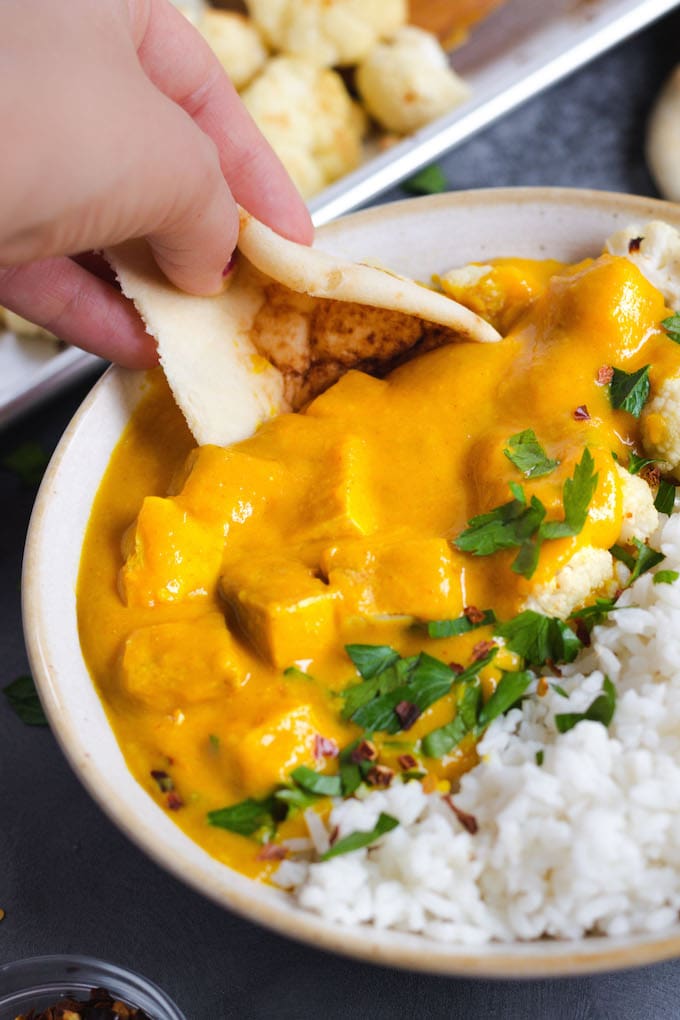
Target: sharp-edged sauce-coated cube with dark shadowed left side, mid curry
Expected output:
[281,607]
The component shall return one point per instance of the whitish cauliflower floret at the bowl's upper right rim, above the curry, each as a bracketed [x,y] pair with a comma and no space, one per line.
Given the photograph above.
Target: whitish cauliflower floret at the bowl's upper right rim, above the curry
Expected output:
[655,249]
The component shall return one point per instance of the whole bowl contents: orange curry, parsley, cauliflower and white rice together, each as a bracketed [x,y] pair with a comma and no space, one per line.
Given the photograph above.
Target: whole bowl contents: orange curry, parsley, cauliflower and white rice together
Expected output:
[326,649]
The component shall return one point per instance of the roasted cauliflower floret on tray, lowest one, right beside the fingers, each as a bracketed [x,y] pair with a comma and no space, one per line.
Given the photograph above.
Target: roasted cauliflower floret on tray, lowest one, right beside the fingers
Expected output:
[308,118]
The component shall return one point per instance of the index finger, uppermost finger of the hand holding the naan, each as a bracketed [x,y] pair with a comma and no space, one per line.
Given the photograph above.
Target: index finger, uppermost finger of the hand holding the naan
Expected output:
[181,64]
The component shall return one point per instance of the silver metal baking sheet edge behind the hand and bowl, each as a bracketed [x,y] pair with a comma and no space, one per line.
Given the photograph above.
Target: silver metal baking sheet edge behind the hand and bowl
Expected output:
[520,49]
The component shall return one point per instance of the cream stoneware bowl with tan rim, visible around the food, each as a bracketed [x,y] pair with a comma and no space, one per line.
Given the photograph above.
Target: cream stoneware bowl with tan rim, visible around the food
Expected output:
[415,238]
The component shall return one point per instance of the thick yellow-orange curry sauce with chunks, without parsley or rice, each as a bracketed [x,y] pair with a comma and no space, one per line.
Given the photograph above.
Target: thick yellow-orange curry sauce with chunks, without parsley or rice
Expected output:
[220,588]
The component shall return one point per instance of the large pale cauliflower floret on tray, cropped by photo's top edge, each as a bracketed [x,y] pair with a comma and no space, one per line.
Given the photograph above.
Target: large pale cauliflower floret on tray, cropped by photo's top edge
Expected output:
[328,32]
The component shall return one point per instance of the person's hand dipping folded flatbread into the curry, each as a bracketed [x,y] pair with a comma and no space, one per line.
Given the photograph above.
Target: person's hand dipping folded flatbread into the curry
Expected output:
[120,122]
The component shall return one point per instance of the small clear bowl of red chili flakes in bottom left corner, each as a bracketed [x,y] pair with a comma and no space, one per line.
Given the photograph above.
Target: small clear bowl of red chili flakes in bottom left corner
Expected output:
[41,982]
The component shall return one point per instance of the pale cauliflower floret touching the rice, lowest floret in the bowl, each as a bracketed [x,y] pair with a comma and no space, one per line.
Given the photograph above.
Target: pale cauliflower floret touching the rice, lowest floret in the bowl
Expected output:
[590,571]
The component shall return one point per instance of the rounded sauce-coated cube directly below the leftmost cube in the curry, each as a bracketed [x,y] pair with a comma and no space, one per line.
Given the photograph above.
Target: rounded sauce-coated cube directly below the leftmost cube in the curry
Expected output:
[172,666]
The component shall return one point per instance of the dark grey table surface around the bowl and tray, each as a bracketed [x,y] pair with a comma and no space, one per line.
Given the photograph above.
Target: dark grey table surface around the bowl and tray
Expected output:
[71,883]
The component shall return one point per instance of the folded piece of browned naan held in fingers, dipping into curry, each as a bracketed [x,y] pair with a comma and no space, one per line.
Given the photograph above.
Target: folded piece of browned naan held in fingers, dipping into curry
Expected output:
[291,323]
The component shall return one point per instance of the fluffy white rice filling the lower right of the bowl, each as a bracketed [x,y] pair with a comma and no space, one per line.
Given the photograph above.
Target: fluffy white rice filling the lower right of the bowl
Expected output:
[587,842]
